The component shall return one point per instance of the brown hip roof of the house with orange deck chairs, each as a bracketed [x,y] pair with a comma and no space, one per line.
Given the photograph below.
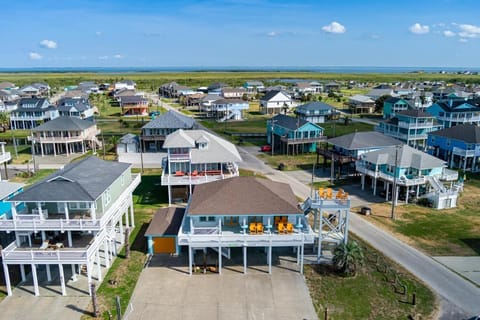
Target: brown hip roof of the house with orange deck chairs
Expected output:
[243,196]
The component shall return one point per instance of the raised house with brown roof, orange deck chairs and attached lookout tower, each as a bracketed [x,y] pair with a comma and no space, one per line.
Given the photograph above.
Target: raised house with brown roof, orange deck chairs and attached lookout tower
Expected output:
[231,217]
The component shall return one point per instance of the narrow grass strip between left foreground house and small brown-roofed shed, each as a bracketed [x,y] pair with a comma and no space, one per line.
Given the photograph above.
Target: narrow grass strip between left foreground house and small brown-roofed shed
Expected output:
[147,198]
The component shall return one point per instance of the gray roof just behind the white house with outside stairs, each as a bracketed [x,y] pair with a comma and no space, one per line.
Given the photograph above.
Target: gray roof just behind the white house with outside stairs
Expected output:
[363,140]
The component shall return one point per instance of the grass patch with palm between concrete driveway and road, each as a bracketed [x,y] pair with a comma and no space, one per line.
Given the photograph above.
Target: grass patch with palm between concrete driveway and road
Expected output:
[371,294]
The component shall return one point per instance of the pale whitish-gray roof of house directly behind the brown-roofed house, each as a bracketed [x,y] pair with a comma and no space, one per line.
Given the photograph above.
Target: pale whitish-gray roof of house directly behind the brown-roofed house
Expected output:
[218,149]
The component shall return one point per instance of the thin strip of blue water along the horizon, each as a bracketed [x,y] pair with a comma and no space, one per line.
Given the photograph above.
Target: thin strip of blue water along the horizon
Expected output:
[313,69]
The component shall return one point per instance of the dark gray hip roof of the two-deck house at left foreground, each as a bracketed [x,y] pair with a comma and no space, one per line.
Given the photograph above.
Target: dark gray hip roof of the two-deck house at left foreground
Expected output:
[84,180]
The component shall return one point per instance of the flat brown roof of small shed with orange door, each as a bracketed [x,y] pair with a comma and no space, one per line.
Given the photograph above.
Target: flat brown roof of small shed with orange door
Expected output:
[166,222]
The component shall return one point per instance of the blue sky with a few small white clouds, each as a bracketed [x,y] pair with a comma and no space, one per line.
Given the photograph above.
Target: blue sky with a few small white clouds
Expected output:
[249,33]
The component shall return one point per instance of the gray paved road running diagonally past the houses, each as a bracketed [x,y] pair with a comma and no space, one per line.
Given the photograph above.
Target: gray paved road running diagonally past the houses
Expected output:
[459,298]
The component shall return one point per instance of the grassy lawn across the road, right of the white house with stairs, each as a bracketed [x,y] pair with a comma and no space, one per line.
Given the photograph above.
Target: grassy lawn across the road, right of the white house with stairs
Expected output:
[438,232]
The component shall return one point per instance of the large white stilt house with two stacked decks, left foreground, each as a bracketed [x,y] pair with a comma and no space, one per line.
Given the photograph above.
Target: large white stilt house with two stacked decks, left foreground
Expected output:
[71,219]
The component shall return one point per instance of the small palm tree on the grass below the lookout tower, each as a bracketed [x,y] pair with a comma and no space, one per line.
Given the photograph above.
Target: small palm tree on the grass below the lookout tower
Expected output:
[347,258]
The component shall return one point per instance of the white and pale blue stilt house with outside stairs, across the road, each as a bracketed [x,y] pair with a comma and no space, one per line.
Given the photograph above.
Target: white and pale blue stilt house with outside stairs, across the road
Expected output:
[410,171]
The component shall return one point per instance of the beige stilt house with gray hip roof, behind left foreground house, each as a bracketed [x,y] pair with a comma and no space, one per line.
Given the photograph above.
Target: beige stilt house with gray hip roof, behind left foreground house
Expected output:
[65,135]
